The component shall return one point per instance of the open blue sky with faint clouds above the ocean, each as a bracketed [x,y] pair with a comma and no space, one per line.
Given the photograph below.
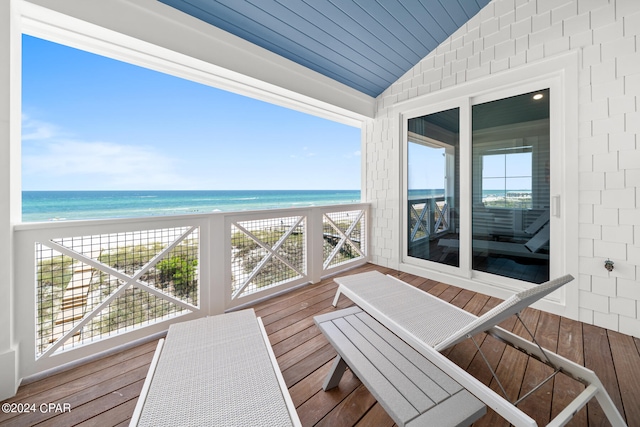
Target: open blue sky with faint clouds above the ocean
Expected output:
[93,123]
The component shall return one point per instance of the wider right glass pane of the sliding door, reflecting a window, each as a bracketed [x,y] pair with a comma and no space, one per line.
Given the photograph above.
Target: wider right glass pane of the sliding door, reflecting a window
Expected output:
[511,183]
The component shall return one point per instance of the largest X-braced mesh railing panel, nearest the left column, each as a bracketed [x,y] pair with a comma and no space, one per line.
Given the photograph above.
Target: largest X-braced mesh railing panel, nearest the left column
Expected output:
[103,284]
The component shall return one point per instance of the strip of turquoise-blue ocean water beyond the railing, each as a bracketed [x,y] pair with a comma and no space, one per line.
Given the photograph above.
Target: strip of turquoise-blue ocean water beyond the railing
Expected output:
[74,205]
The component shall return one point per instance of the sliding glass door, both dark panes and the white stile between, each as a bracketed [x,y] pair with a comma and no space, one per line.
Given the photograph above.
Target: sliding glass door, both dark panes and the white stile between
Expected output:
[501,224]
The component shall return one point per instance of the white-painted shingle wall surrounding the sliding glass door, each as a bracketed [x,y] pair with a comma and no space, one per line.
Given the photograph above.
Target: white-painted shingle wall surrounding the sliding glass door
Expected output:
[508,34]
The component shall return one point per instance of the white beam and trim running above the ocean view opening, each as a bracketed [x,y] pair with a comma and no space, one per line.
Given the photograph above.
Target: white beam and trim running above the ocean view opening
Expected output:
[152,35]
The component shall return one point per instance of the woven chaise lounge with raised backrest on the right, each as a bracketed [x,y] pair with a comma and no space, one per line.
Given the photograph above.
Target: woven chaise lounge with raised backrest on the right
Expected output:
[430,325]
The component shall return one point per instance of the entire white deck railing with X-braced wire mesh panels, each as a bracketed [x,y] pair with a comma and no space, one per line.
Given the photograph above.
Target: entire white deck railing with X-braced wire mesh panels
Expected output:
[84,287]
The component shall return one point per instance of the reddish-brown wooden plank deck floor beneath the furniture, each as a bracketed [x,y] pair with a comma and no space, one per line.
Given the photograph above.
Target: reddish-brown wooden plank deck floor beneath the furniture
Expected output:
[104,392]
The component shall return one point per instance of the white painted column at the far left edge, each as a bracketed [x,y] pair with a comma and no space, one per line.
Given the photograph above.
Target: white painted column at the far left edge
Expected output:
[10,187]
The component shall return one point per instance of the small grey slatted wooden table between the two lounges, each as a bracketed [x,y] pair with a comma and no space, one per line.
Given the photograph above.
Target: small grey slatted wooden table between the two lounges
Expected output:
[412,390]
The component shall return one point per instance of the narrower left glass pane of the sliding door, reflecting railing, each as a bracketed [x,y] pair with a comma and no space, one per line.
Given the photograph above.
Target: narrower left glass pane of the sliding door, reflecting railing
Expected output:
[433,187]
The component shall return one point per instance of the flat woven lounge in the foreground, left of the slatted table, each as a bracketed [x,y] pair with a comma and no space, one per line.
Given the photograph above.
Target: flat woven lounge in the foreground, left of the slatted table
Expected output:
[215,371]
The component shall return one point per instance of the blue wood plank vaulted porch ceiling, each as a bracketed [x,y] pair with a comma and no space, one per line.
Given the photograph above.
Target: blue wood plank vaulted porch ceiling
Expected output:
[364,44]
